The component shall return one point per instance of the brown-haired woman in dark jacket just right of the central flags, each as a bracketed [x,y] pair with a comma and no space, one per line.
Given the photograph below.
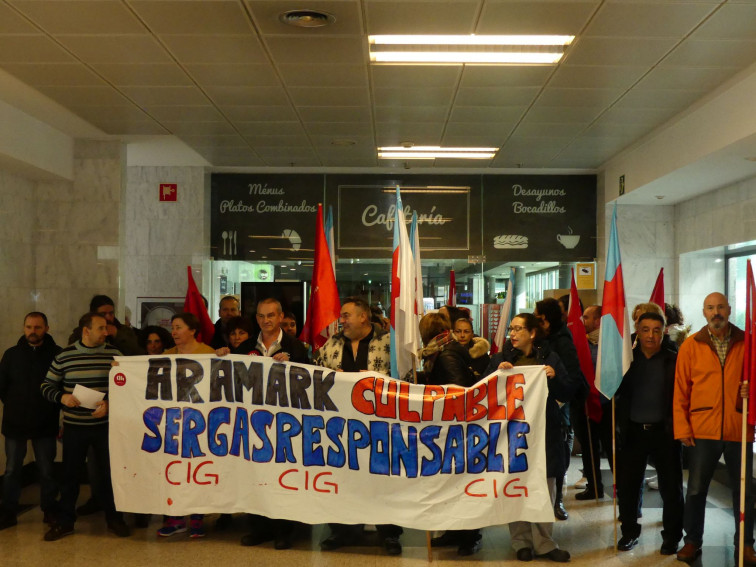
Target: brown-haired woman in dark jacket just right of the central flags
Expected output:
[446,361]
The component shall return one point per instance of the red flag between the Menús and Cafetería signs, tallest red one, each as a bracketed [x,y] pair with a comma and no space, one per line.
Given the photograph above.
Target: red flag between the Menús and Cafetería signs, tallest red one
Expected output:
[324,306]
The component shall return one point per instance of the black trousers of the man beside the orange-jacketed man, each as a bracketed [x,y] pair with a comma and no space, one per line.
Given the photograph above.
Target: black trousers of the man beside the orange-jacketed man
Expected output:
[639,444]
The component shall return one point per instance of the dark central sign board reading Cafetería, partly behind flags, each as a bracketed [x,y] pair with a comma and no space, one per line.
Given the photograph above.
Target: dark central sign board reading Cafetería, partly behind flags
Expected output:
[448,209]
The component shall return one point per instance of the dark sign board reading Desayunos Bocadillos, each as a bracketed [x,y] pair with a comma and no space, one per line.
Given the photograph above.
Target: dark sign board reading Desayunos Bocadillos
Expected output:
[539,217]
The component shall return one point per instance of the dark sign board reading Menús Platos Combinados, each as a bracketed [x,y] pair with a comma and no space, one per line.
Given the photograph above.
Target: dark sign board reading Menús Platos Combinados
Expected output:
[264,217]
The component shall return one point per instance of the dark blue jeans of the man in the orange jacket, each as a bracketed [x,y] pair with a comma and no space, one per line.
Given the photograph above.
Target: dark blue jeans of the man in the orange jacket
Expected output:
[703,459]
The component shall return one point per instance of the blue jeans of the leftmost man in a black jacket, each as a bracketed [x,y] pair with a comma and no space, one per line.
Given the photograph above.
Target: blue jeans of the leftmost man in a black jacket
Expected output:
[44,455]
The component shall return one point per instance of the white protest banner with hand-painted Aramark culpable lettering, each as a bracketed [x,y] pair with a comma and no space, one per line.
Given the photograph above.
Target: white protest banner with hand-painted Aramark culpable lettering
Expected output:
[205,434]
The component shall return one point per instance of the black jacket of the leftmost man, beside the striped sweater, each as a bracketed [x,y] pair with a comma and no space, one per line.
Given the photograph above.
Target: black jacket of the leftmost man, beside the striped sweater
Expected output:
[22,369]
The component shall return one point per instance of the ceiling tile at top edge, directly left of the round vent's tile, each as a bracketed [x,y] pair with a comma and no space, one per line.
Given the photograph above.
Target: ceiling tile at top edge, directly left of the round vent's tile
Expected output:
[193,17]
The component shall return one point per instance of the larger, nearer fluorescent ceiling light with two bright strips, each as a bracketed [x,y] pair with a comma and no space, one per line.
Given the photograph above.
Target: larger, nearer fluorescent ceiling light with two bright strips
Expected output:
[472,49]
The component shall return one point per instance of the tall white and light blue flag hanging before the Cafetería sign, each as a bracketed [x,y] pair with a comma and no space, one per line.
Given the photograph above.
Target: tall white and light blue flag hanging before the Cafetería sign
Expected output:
[405,334]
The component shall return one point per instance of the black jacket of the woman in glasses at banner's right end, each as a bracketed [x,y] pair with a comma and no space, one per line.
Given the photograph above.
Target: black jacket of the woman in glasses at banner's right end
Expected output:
[561,387]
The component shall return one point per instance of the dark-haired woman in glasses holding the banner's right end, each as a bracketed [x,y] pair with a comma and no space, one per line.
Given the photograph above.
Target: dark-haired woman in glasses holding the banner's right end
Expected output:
[526,347]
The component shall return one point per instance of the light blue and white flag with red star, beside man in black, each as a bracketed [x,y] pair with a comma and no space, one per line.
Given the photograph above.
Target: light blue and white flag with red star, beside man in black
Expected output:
[615,353]
